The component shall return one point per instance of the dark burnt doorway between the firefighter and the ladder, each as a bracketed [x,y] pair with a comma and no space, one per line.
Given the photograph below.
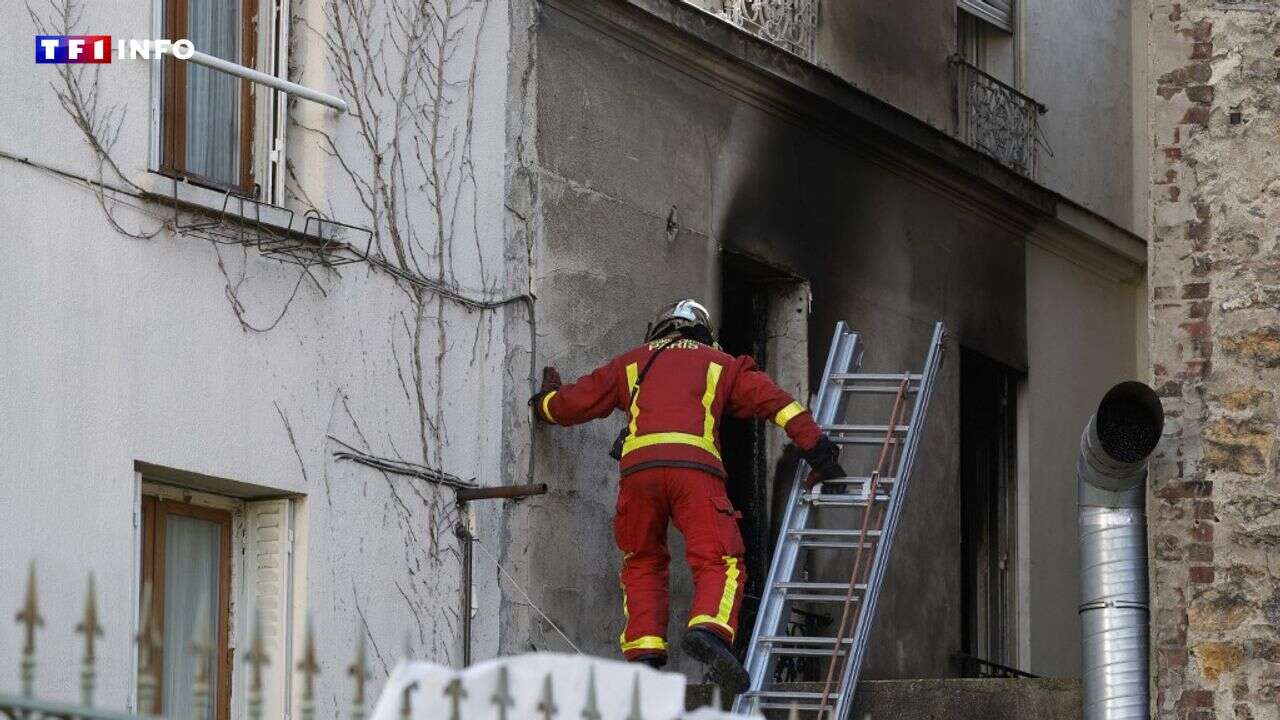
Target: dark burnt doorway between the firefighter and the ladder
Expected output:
[755,299]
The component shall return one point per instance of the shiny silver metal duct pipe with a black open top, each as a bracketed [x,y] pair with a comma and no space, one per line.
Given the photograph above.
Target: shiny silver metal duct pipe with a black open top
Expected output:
[1116,612]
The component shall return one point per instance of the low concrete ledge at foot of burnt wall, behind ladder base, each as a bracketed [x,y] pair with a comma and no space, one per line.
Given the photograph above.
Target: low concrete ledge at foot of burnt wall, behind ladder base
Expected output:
[1037,699]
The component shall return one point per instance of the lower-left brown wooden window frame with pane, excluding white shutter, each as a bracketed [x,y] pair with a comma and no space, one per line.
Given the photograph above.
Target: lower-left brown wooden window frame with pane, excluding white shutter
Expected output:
[188,560]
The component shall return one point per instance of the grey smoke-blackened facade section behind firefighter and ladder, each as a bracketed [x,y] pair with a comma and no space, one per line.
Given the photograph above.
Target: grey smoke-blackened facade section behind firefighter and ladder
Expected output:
[678,154]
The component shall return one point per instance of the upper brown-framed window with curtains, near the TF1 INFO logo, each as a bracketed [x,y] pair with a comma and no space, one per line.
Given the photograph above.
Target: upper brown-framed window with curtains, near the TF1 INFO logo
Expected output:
[208,117]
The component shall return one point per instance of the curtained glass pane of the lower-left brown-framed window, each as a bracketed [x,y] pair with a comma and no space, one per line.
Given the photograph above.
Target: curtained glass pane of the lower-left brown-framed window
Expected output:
[191,577]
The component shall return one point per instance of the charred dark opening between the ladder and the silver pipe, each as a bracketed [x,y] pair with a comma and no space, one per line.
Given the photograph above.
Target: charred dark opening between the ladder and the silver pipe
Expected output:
[989,505]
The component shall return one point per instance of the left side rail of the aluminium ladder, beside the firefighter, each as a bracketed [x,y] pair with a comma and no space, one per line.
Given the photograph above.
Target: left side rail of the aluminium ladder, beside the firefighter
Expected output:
[844,354]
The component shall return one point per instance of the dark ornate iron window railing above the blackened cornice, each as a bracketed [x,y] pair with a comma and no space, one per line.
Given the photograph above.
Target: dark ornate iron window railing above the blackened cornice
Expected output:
[996,120]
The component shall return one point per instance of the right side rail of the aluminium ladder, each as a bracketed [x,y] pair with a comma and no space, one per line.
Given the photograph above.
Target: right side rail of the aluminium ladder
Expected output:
[880,560]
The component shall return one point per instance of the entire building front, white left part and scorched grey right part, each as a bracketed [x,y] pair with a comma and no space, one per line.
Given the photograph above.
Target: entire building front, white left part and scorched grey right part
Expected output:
[262,332]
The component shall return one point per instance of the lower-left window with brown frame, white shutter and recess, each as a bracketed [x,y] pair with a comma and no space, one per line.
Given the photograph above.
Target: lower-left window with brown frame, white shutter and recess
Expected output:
[230,558]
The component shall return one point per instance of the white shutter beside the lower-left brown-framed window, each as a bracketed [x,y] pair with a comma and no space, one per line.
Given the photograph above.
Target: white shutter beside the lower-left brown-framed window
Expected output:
[269,554]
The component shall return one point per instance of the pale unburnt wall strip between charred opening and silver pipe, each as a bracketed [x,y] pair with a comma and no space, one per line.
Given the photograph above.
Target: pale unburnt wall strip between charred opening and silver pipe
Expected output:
[1081,340]
